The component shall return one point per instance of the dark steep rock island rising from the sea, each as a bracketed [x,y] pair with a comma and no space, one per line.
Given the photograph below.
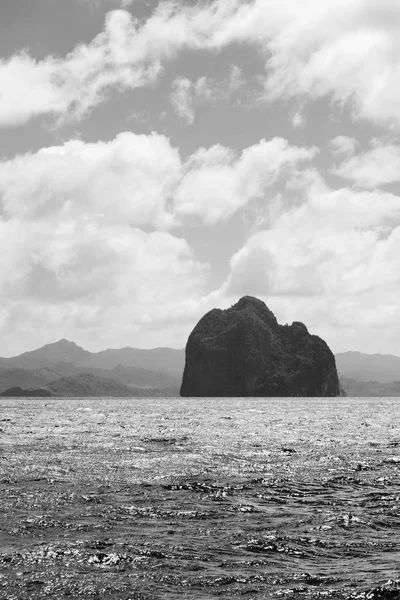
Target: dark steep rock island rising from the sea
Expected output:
[243,351]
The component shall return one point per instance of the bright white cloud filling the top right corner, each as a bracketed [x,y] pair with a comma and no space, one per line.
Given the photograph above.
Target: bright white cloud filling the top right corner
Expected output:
[349,50]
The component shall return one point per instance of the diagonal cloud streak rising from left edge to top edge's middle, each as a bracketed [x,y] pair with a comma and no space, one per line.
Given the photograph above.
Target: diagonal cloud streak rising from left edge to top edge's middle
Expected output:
[126,55]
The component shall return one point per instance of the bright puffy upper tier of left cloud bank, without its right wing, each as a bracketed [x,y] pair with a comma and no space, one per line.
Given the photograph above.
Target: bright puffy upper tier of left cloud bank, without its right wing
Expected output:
[127,180]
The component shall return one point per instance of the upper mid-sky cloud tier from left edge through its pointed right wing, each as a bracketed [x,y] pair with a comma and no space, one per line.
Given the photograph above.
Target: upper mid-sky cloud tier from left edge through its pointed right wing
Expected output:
[141,180]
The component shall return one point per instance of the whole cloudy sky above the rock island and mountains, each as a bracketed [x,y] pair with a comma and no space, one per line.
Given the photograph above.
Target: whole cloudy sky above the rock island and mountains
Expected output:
[160,159]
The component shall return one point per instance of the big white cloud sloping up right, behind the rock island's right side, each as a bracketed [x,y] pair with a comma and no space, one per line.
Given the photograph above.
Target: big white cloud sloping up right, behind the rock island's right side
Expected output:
[332,261]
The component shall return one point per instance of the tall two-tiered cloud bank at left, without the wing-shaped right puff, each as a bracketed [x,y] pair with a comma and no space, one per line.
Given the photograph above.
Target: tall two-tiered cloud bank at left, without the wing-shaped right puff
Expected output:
[84,242]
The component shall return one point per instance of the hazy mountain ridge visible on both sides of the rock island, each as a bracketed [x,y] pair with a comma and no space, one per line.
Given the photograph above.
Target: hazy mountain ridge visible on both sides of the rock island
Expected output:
[158,371]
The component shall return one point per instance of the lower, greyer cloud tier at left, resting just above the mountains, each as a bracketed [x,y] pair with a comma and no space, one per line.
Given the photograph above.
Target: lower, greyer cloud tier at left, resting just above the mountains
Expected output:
[110,285]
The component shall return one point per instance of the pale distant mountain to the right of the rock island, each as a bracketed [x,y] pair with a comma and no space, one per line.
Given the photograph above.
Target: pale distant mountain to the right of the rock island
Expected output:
[383,368]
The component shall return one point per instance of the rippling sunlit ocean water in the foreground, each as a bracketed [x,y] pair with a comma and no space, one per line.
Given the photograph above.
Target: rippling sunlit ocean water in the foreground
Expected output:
[199,498]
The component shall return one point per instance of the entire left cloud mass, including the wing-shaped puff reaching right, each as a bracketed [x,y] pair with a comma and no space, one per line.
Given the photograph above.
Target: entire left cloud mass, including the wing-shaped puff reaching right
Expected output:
[87,232]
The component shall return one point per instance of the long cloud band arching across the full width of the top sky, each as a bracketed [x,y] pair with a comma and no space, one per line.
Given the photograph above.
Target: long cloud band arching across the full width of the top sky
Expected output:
[349,51]
